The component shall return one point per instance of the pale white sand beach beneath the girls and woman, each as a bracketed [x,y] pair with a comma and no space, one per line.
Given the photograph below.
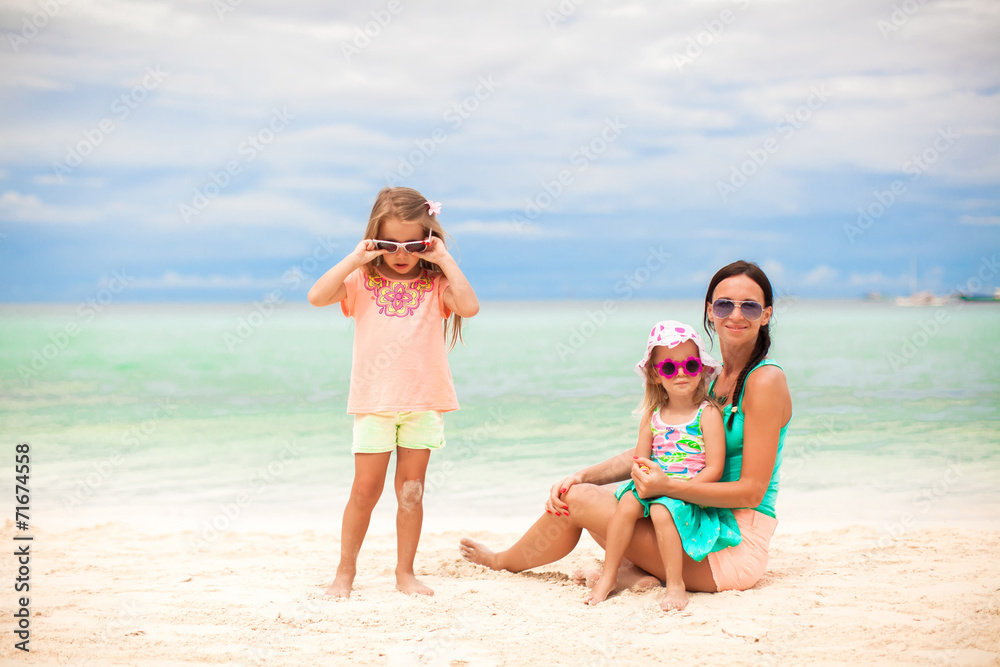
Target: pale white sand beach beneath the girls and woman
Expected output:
[114,595]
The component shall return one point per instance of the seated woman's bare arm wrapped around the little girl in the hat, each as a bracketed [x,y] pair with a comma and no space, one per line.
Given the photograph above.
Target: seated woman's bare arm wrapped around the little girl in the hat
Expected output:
[767,407]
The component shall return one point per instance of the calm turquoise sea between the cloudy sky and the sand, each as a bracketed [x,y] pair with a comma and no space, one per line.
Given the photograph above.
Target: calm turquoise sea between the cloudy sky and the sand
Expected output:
[212,418]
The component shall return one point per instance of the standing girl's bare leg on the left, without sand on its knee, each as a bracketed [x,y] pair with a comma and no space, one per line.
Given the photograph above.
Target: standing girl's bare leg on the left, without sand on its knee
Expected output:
[369,478]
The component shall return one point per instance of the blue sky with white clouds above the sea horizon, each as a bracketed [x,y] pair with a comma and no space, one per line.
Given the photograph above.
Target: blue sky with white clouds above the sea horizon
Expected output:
[228,150]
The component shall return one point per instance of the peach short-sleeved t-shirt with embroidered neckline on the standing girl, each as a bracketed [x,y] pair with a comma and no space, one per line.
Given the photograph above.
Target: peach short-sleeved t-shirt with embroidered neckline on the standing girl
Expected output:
[400,362]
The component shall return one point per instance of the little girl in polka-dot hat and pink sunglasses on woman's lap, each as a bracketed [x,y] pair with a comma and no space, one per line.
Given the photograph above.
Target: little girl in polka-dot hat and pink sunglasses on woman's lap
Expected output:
[682,431]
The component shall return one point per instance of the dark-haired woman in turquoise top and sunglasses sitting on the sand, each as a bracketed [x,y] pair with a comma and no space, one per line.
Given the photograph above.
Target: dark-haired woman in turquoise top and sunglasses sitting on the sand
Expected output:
[738,308]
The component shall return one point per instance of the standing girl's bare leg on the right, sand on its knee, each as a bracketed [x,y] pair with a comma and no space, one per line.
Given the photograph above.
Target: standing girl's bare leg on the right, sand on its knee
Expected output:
[411,469]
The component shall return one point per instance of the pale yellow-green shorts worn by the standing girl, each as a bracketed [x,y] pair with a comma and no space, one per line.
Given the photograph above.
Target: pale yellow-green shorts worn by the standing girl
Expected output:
[378,432]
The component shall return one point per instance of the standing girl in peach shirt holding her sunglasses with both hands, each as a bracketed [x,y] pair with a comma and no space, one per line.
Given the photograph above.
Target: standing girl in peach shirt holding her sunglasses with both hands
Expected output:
[399,284]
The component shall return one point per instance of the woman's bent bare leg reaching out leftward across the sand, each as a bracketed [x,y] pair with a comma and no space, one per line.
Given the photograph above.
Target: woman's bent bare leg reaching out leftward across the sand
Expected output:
[551,537]
